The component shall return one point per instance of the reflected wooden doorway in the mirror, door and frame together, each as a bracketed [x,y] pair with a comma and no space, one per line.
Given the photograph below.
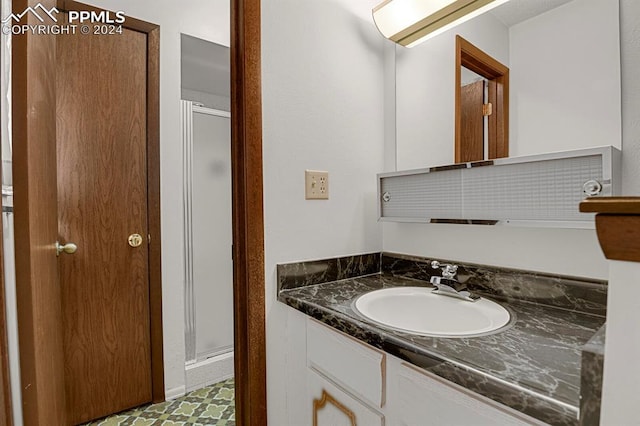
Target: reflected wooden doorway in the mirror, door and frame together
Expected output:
[477,138]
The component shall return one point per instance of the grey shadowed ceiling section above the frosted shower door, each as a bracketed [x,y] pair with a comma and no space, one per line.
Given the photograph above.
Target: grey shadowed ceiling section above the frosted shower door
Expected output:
[205,66]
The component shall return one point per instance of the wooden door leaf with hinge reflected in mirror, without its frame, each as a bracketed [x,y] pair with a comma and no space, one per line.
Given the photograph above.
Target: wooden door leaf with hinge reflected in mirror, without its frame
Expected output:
[472,141]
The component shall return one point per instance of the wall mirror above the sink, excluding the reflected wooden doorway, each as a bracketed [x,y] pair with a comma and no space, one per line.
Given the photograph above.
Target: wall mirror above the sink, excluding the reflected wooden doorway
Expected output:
[564,63]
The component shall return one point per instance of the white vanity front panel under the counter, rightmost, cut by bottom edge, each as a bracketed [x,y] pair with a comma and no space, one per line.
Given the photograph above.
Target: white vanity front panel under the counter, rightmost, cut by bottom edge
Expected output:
[425,396]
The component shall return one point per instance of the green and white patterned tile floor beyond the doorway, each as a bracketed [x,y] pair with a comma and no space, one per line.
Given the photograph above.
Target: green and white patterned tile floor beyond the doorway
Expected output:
[213,405]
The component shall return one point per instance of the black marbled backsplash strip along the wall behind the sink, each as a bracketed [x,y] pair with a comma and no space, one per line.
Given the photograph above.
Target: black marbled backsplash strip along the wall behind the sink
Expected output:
[573,293]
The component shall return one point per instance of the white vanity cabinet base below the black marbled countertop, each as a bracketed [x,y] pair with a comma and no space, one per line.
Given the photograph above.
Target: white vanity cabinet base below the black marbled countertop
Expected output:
[351,383]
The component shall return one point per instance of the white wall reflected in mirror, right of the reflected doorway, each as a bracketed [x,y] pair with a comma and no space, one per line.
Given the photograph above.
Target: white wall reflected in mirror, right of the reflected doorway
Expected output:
[565,79]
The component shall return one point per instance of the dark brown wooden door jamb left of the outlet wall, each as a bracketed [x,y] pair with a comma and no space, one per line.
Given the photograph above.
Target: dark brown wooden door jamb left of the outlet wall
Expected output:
[248,216]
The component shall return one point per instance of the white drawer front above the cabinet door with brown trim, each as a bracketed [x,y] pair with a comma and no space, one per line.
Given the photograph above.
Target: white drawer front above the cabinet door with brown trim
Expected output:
[348,362]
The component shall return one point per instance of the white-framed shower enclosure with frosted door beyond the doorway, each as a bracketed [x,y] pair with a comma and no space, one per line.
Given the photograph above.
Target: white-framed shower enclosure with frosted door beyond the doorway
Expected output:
[208,275]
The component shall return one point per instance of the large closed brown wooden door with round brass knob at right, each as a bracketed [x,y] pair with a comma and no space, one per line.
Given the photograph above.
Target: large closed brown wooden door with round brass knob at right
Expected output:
[102,200]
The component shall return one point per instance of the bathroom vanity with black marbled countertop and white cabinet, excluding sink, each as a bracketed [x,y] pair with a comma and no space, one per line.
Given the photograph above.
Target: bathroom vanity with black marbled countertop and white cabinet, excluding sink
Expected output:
[527,372]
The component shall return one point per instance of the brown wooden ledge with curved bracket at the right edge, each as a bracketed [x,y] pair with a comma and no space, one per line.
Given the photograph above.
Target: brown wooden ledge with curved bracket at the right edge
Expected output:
[617,225]
